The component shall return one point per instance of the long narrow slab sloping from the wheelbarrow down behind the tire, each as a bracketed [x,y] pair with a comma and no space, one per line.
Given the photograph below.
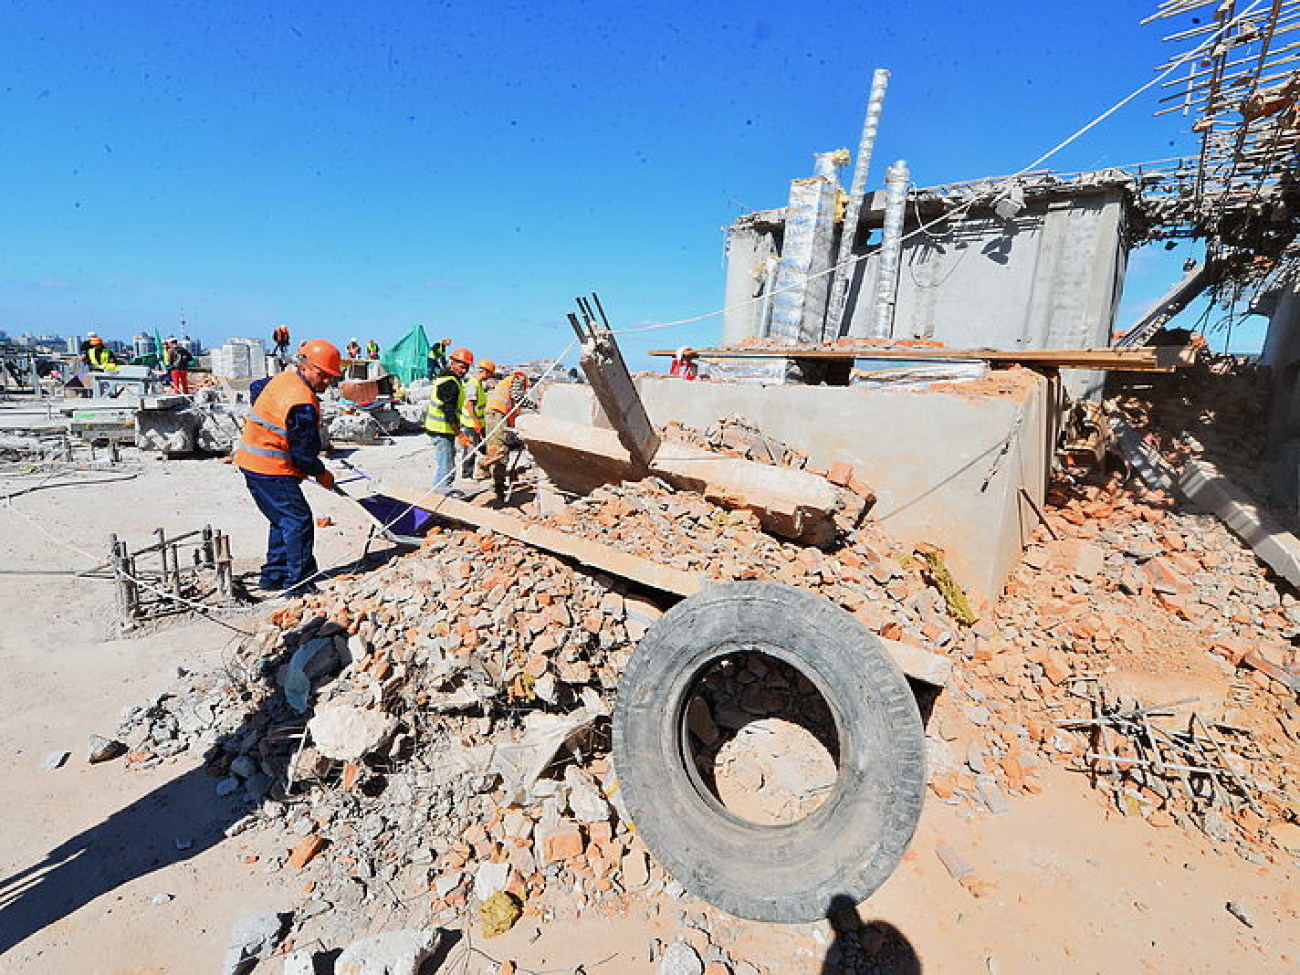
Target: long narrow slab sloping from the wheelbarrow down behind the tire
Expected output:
[915,662]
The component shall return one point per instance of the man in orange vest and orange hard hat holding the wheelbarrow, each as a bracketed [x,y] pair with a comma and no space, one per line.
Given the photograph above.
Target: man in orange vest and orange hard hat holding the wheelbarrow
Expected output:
[281,447]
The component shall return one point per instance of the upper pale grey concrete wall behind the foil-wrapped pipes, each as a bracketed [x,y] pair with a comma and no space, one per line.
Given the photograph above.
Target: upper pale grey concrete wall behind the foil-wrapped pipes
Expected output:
[1009,265]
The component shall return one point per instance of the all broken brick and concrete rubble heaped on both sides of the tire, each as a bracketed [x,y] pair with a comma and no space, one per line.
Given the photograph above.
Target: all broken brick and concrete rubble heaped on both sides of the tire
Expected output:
[432,738]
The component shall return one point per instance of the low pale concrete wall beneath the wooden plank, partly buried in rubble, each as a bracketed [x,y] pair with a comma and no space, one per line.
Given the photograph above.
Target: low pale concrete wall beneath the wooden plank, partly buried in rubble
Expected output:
[948,465]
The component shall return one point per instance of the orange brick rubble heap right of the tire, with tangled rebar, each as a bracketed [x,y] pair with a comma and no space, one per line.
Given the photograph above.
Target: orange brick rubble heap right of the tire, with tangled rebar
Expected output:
[1130,613]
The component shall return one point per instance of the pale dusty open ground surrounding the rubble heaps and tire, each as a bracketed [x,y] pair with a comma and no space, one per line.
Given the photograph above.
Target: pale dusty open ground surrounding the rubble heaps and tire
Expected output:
[93,881]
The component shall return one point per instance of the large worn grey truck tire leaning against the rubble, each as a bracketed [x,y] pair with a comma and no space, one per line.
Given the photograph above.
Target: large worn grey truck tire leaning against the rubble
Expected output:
[790,873]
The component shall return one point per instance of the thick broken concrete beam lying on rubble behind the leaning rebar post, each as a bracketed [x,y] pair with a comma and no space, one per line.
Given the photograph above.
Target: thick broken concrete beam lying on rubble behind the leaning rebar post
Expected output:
[790,504]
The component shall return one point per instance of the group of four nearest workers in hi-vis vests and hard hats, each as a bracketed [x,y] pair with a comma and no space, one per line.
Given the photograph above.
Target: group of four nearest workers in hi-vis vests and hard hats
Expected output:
[281,445]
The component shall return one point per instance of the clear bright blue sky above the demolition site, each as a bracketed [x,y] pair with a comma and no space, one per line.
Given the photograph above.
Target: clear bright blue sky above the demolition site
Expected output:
[353,168]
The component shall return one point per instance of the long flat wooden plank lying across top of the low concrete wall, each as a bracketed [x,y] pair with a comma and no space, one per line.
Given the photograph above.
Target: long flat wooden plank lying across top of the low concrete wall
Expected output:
[1145,359]
